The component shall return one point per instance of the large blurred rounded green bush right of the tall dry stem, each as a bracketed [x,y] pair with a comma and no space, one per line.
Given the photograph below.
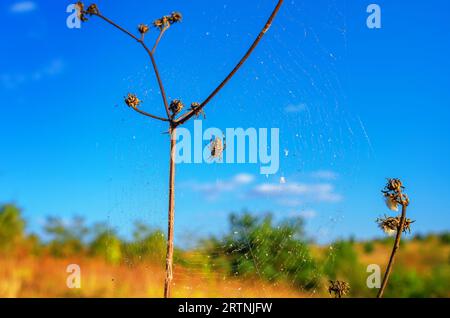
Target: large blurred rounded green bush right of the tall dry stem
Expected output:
[258,247]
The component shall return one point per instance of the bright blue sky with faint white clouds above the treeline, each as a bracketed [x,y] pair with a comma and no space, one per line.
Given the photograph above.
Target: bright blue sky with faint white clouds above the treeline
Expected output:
[354,106]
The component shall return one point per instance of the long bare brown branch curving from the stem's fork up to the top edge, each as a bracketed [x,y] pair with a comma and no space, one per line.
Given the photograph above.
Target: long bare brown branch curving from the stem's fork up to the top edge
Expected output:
[185,117]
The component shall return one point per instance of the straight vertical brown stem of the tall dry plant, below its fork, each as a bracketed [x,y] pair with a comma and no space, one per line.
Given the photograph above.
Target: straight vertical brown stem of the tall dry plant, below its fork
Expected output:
[171,216]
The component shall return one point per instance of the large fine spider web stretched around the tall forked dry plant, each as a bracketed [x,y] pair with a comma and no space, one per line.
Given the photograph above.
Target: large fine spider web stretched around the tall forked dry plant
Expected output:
[296,86]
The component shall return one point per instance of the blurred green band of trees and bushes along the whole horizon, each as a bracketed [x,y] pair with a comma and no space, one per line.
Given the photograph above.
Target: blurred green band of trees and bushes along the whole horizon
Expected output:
[255,247]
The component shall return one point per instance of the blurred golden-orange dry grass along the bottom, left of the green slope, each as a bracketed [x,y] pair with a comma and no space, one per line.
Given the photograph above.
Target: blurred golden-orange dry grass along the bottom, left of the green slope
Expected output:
[46,277]
